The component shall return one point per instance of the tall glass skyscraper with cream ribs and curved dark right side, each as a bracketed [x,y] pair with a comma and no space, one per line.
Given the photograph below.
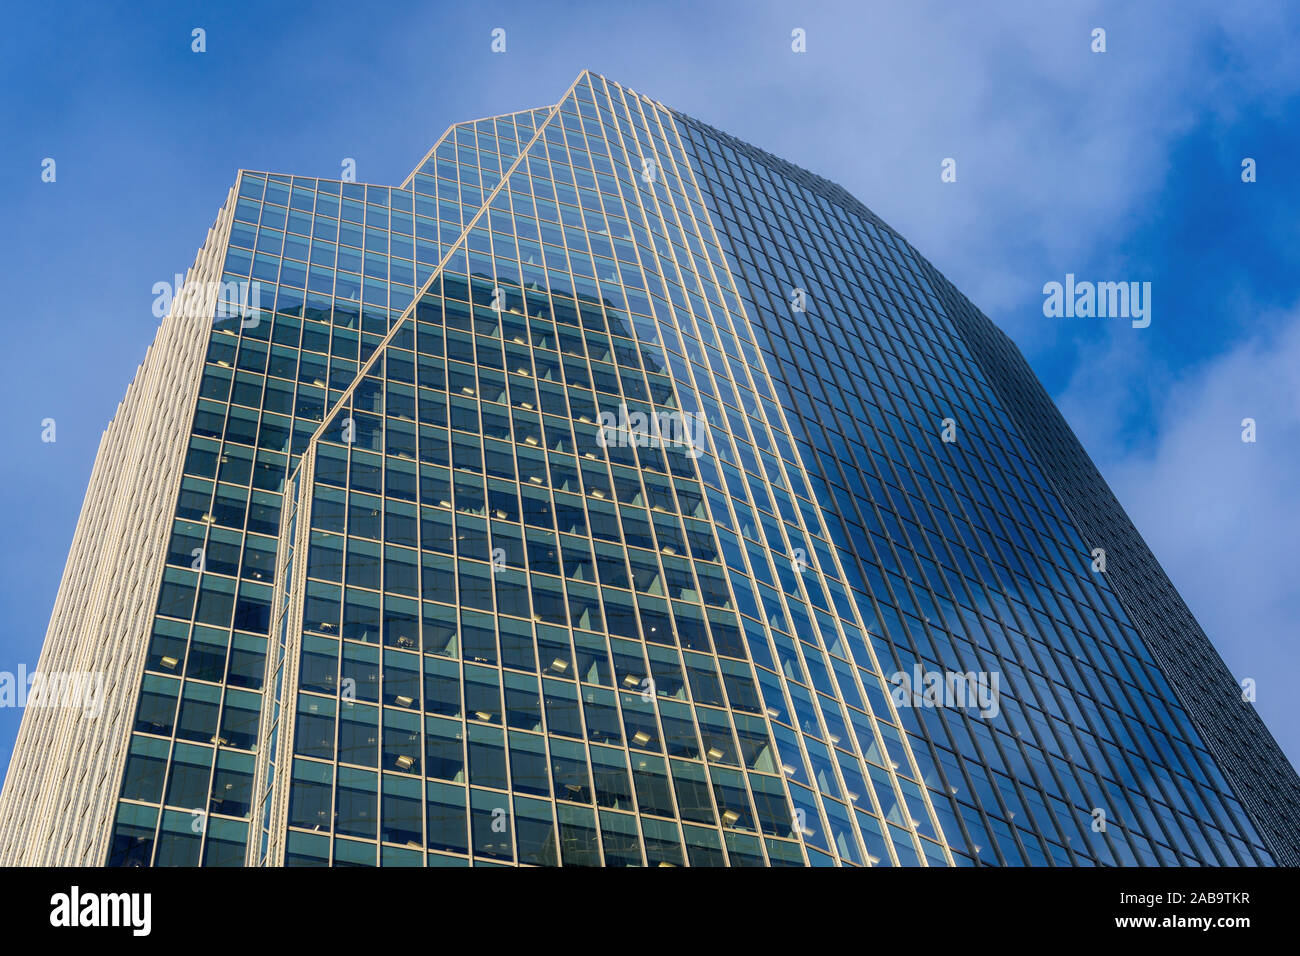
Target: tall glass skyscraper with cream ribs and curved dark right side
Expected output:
[613,492]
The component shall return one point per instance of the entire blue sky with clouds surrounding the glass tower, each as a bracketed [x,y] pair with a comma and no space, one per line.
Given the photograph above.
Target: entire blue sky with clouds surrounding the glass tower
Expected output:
[1117,166]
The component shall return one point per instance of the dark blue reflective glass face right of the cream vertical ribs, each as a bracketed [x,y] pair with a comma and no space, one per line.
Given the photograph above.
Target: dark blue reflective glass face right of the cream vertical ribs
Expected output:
[960,556]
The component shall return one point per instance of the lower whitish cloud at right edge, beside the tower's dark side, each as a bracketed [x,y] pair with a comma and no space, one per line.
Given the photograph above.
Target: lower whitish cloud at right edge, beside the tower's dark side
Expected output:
[1219,513]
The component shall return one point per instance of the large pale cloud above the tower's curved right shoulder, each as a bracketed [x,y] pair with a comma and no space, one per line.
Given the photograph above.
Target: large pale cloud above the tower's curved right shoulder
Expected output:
[1058,148]
